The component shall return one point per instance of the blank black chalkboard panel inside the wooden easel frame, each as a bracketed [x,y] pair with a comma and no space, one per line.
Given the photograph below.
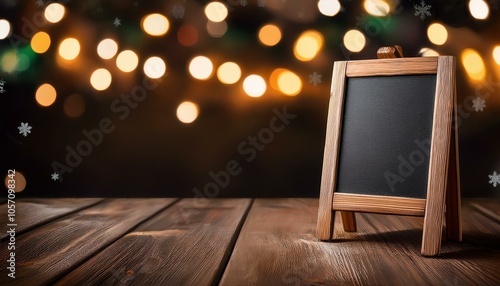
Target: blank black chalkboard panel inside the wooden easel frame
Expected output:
[385,135]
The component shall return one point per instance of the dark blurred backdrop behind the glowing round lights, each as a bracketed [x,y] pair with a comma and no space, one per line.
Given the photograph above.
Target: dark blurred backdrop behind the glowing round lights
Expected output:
[152,154]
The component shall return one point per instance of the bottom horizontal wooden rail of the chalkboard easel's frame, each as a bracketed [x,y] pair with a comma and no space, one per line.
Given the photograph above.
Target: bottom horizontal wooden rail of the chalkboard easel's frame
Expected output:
[379,204]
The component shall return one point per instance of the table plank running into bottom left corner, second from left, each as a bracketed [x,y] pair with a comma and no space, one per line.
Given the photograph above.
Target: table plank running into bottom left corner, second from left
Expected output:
[47,252]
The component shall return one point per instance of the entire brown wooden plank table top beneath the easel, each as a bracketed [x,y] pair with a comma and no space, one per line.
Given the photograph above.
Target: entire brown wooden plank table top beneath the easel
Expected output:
[237,242]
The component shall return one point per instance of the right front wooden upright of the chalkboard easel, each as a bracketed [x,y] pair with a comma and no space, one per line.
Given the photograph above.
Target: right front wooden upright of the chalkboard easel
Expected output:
[438,165]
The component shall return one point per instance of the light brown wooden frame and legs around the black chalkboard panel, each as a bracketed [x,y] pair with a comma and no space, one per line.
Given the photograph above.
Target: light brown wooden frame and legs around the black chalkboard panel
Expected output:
[443,188]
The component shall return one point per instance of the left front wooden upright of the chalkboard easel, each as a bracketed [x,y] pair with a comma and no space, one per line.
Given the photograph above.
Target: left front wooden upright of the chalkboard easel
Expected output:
[332,145]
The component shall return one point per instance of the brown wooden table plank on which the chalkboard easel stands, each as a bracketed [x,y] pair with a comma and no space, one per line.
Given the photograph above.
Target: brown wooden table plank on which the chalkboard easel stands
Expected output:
[276,246]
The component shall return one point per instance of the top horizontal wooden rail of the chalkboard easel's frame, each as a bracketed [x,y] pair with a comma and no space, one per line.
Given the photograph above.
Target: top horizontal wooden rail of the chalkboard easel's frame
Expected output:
[396,66]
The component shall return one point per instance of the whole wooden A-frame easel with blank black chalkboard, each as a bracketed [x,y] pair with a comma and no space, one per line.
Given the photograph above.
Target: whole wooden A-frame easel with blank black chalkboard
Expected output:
[390,147]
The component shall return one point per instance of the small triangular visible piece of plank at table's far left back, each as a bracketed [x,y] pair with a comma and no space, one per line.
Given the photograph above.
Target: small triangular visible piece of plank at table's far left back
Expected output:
[31,213]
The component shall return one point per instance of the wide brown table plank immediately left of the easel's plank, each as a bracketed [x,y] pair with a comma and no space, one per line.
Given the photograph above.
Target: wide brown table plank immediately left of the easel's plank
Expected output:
[184,245]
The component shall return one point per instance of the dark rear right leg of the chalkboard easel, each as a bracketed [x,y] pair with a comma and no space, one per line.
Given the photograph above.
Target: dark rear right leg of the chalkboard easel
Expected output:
[453,202]
